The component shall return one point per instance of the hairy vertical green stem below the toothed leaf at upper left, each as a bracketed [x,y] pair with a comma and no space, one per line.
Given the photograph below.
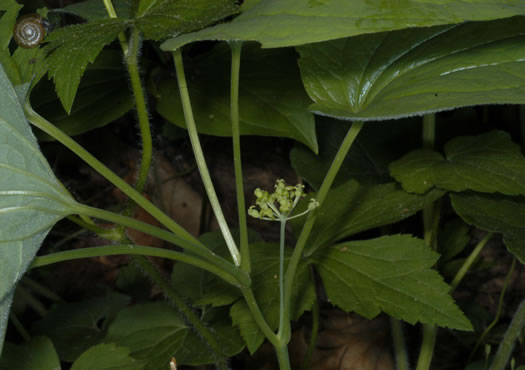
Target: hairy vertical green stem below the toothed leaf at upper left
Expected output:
[142,111]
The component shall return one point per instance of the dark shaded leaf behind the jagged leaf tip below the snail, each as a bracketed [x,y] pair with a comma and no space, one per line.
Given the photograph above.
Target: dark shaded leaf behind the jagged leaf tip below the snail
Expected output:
[102,97]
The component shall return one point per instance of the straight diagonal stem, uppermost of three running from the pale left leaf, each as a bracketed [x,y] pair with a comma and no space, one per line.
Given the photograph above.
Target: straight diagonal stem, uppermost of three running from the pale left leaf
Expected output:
[127,189]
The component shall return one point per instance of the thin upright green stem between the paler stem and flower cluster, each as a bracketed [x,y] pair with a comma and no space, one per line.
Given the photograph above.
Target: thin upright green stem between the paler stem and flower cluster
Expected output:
[236,47]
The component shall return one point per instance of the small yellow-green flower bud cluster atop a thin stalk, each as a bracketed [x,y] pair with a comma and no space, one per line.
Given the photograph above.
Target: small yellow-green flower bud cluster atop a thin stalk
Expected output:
[278,205]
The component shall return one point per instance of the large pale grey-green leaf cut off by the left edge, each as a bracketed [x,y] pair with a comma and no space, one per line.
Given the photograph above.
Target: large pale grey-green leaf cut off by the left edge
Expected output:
[28,191]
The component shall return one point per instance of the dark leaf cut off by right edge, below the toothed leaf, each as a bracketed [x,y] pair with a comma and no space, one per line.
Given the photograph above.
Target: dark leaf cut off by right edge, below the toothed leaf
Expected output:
[495,213]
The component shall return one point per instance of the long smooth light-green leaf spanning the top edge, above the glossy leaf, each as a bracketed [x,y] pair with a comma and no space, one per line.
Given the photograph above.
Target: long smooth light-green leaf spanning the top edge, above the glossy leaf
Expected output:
[278,23]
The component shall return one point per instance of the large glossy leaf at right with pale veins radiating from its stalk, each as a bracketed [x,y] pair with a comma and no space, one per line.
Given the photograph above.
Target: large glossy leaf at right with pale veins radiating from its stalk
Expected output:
[416,71]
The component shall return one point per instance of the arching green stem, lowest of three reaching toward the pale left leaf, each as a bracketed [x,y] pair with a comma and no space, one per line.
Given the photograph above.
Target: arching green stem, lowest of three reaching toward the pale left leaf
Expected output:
[132,249]
